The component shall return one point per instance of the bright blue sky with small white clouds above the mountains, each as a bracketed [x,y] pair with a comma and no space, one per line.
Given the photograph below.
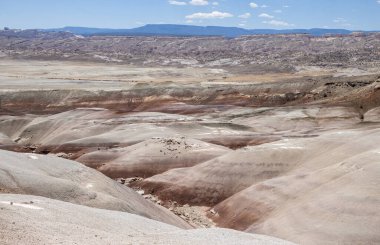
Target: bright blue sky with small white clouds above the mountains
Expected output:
[250,14]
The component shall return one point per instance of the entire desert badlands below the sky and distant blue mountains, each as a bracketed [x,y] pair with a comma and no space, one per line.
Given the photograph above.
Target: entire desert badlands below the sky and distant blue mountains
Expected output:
[267,139]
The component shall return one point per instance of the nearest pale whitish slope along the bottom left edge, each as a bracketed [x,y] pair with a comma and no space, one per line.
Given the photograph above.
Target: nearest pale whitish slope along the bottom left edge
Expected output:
[46,221]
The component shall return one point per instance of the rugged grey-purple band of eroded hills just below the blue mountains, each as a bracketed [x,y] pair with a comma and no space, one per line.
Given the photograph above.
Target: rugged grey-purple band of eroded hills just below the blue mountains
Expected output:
[256,53]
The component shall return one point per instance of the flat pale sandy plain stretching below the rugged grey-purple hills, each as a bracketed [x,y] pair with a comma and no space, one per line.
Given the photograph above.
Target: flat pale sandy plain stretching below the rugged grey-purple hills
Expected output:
[45,75]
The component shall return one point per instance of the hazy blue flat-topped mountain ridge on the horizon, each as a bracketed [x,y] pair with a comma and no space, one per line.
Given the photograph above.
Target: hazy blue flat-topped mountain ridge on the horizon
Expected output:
[189,30]
